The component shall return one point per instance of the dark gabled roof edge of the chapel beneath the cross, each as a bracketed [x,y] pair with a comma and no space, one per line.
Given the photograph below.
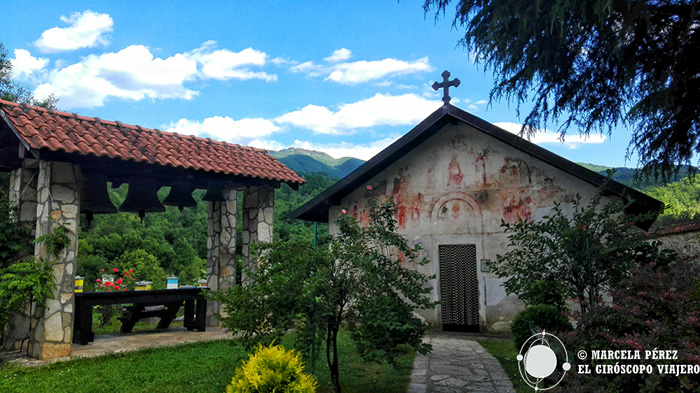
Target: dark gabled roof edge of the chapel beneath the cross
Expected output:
[317,209]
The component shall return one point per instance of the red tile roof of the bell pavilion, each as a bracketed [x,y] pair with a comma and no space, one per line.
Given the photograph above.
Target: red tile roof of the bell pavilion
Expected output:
[58,131]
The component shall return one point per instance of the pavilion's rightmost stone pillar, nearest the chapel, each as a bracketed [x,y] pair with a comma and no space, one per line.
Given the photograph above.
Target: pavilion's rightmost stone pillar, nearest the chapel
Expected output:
[258,215]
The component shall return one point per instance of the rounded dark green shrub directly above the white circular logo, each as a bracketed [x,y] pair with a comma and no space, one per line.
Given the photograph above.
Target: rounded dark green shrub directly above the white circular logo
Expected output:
[537,318]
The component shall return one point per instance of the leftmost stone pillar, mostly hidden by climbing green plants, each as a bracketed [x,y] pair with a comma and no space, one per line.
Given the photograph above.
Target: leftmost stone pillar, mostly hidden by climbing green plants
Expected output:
[22,195]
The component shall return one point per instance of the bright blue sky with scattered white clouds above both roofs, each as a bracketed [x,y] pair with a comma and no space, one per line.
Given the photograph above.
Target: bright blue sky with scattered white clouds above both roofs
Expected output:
[347,78]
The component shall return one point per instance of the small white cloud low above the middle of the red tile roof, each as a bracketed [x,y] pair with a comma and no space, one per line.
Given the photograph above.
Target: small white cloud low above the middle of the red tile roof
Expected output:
[244,131]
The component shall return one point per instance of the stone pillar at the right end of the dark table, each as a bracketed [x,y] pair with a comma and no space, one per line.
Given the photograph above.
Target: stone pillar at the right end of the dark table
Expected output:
[221,249]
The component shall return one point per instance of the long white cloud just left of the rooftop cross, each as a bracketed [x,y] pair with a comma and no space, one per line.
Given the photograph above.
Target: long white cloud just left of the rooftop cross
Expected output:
[380,110]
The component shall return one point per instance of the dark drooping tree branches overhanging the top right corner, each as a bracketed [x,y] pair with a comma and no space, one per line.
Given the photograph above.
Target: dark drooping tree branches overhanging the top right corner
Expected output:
[595,64]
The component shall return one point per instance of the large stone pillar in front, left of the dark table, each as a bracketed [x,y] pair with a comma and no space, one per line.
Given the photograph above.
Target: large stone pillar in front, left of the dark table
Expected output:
[58,202]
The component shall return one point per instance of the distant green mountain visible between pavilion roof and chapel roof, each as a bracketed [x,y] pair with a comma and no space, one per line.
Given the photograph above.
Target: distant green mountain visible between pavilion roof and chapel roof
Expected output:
[302,160]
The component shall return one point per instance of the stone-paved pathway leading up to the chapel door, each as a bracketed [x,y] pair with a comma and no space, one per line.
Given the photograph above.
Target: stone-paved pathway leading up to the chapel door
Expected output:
[457,364]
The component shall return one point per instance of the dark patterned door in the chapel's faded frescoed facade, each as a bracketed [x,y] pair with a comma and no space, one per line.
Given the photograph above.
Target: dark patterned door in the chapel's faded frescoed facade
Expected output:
[459,287]
